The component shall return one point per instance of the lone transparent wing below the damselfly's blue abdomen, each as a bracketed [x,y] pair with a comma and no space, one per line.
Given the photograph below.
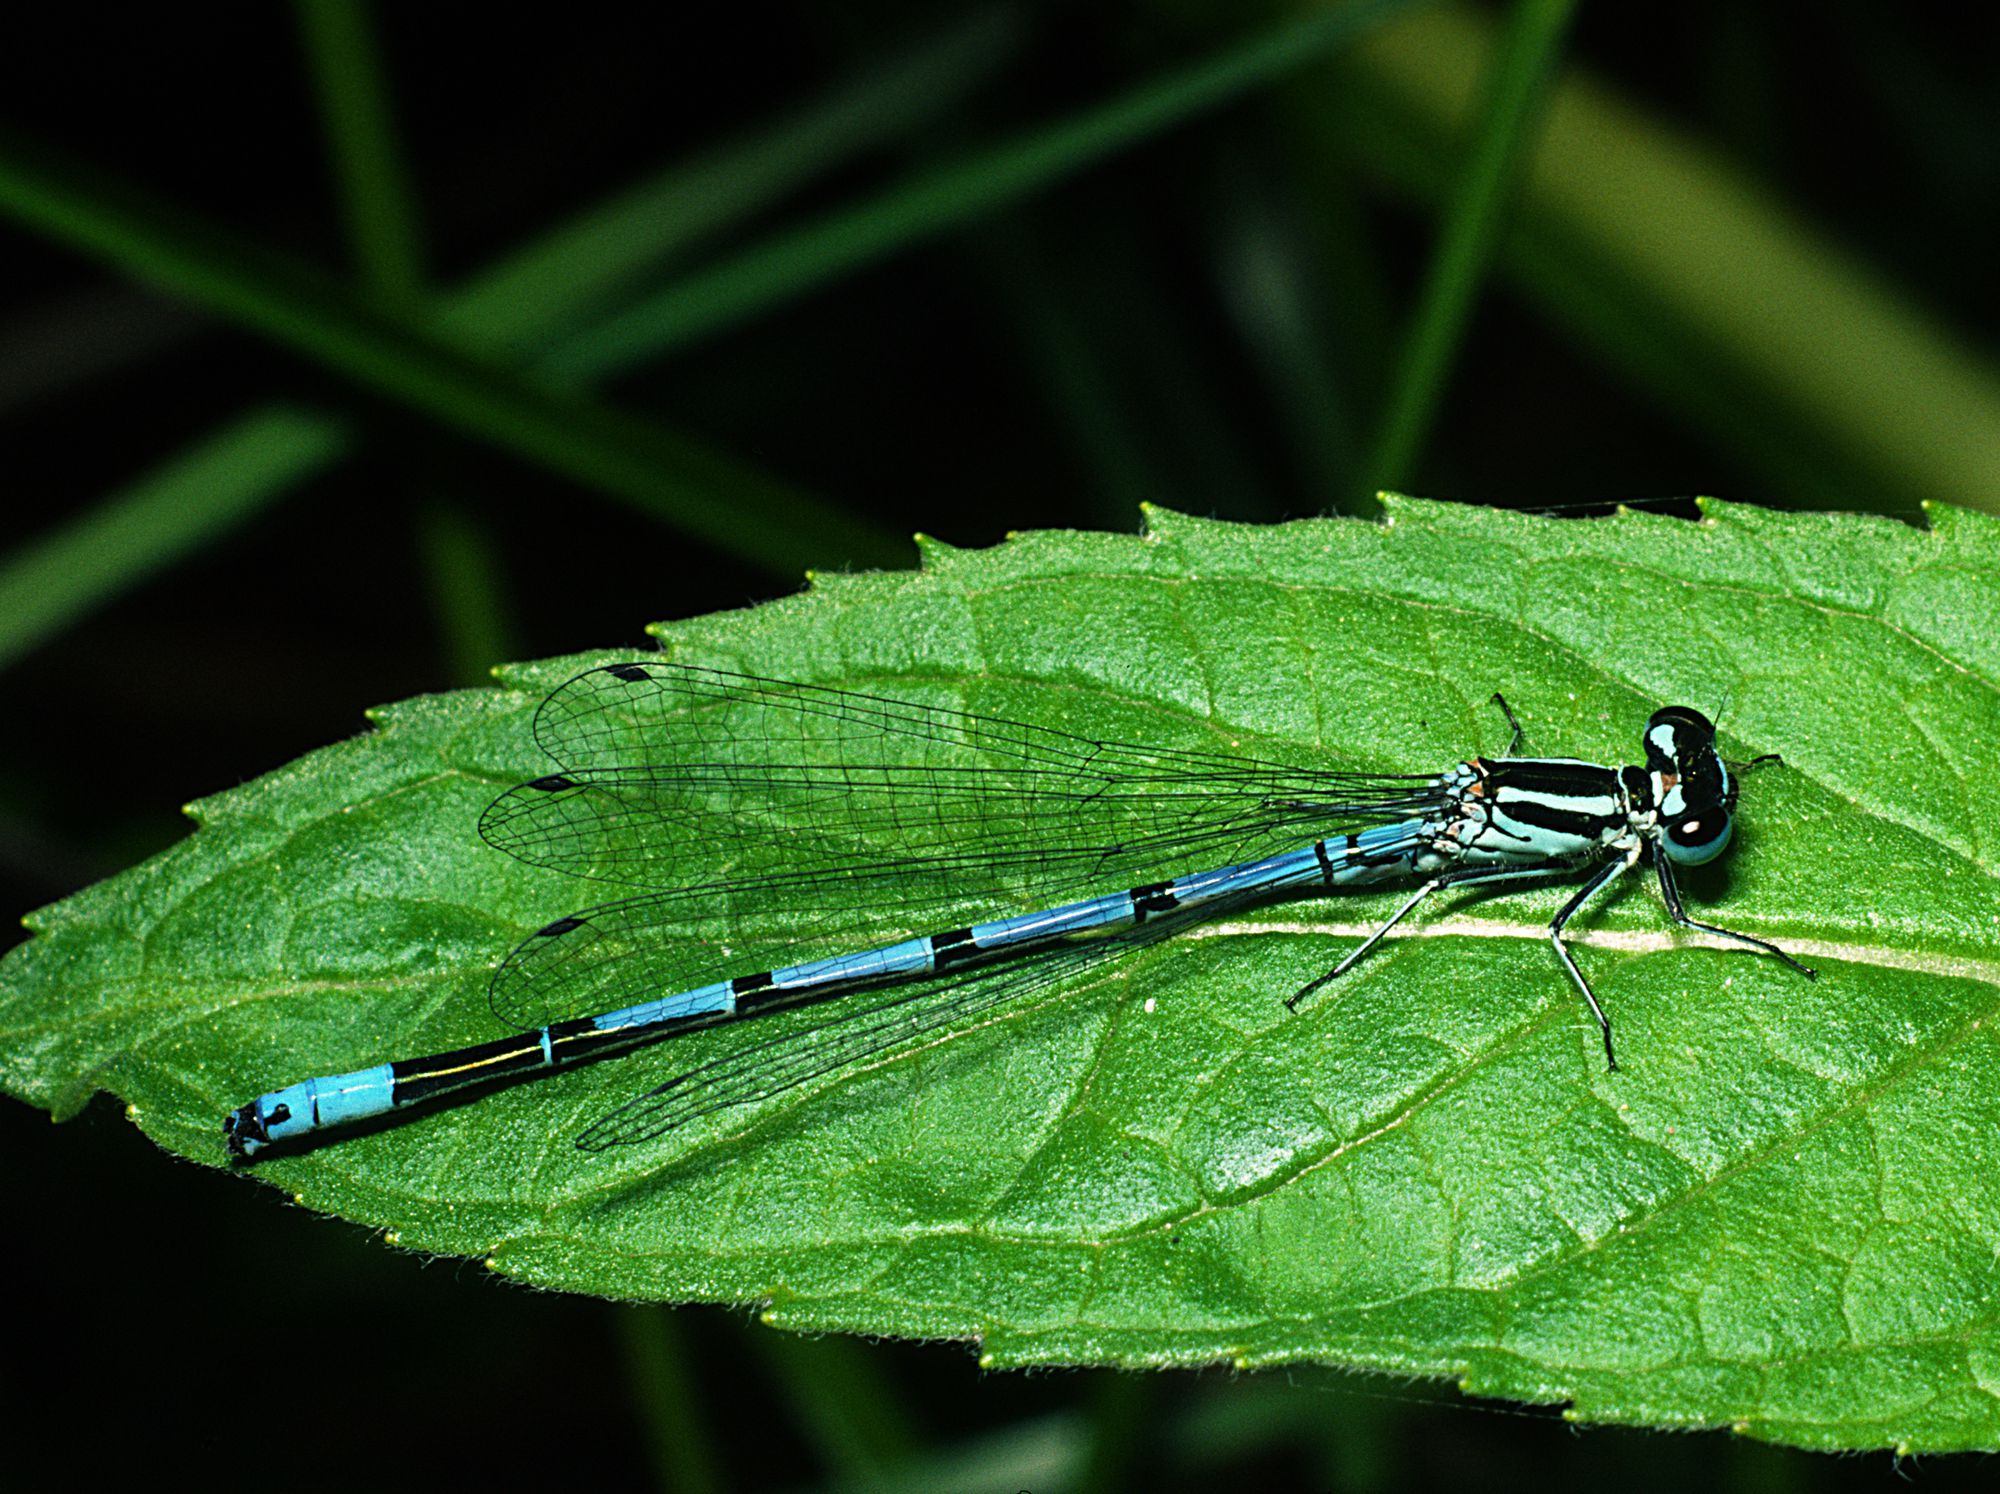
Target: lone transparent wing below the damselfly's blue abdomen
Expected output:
[851,1039]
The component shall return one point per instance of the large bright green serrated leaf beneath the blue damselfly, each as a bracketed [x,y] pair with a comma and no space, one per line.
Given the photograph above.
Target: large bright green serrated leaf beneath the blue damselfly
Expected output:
[1781,1217]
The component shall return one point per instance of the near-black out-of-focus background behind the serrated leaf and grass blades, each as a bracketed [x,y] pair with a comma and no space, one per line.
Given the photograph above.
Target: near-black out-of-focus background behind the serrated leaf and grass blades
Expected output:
[1211,319]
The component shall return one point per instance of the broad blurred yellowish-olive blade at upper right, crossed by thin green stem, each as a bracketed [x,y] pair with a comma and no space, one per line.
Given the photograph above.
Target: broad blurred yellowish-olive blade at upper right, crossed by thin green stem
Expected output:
[1695,281]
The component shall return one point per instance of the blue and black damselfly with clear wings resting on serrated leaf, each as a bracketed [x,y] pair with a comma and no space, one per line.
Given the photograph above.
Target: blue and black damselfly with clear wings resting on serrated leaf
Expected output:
[851,821]
